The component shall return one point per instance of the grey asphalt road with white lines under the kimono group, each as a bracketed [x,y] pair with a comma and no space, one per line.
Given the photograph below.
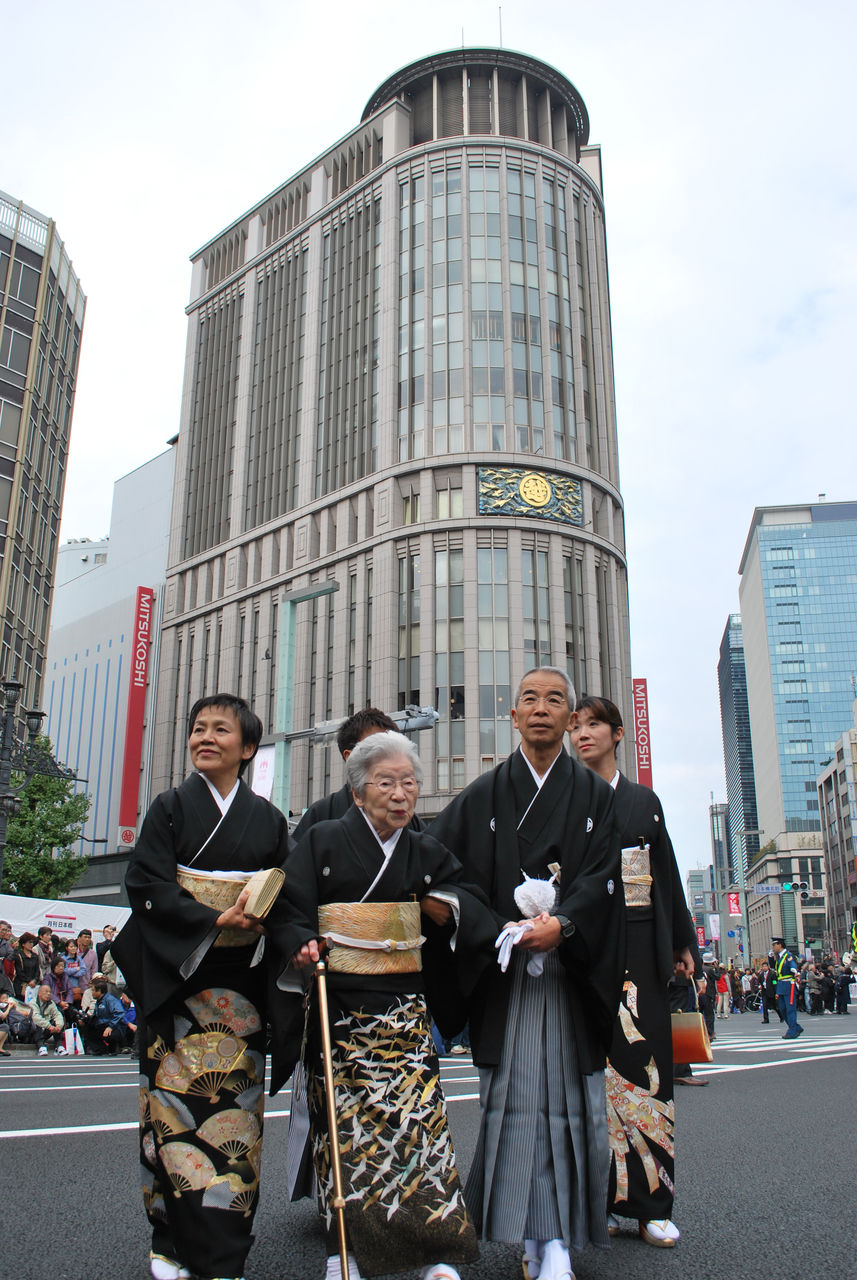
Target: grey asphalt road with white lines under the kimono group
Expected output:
[764,1171]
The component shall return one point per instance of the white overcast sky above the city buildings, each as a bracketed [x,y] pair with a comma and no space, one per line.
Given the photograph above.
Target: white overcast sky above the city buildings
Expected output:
[731,191]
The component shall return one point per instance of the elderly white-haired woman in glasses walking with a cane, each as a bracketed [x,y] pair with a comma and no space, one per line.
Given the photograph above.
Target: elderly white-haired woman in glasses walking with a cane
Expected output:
[352,884]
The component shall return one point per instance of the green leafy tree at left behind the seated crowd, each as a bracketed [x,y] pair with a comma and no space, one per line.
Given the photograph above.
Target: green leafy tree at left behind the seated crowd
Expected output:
[39,861]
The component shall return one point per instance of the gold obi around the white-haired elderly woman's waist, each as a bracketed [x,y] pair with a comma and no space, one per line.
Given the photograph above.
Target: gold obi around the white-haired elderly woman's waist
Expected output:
[373,938]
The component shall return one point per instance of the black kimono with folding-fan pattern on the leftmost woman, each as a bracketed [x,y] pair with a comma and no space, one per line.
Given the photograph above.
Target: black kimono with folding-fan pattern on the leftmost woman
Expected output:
[203,1011]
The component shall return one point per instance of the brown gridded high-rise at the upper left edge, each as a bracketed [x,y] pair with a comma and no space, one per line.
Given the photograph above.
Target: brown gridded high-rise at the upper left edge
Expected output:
[42,319]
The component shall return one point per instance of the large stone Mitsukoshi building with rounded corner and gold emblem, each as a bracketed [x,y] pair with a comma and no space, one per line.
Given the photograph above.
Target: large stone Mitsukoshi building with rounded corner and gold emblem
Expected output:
[400,378]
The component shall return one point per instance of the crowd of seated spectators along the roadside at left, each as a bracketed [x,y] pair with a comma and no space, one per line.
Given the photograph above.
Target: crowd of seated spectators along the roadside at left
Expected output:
[54,990]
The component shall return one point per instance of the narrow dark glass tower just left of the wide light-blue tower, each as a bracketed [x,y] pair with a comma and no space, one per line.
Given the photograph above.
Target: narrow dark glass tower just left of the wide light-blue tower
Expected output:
[737,749]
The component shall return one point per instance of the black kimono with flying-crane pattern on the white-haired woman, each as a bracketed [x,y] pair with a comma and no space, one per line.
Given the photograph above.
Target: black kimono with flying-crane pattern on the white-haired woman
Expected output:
[404,1200]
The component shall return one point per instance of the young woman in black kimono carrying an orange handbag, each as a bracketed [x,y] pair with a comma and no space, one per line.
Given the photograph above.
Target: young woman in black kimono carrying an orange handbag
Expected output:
[661,940]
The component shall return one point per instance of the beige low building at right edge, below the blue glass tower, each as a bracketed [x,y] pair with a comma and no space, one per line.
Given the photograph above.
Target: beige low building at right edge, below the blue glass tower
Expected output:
[837,804]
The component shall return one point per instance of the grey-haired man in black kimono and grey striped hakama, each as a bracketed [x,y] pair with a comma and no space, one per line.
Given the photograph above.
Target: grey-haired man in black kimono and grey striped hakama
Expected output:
[540,1036]
